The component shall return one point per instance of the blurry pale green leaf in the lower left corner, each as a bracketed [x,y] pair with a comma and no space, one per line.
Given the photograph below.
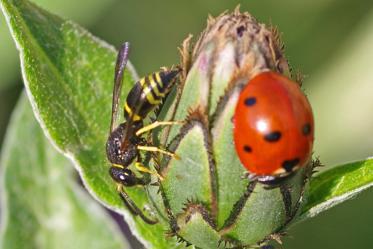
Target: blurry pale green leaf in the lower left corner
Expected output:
[42,206]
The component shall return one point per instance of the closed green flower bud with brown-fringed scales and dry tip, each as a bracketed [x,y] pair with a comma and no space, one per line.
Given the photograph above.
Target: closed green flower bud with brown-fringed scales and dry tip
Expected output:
[207,195]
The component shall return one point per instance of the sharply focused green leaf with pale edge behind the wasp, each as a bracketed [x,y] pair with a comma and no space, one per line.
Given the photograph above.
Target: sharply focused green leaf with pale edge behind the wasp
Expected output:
[68,75]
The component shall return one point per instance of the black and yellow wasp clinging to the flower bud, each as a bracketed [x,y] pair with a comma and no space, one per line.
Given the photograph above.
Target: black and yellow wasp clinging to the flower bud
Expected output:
[125,141]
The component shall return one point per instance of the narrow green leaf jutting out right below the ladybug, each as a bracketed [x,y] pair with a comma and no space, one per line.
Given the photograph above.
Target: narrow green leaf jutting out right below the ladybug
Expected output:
[335,186]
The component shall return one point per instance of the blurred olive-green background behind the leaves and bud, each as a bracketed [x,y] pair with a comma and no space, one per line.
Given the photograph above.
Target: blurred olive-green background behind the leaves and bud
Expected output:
[330,41]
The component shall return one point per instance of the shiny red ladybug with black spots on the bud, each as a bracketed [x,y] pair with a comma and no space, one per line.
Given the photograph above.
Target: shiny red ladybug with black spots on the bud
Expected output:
[273,127]
